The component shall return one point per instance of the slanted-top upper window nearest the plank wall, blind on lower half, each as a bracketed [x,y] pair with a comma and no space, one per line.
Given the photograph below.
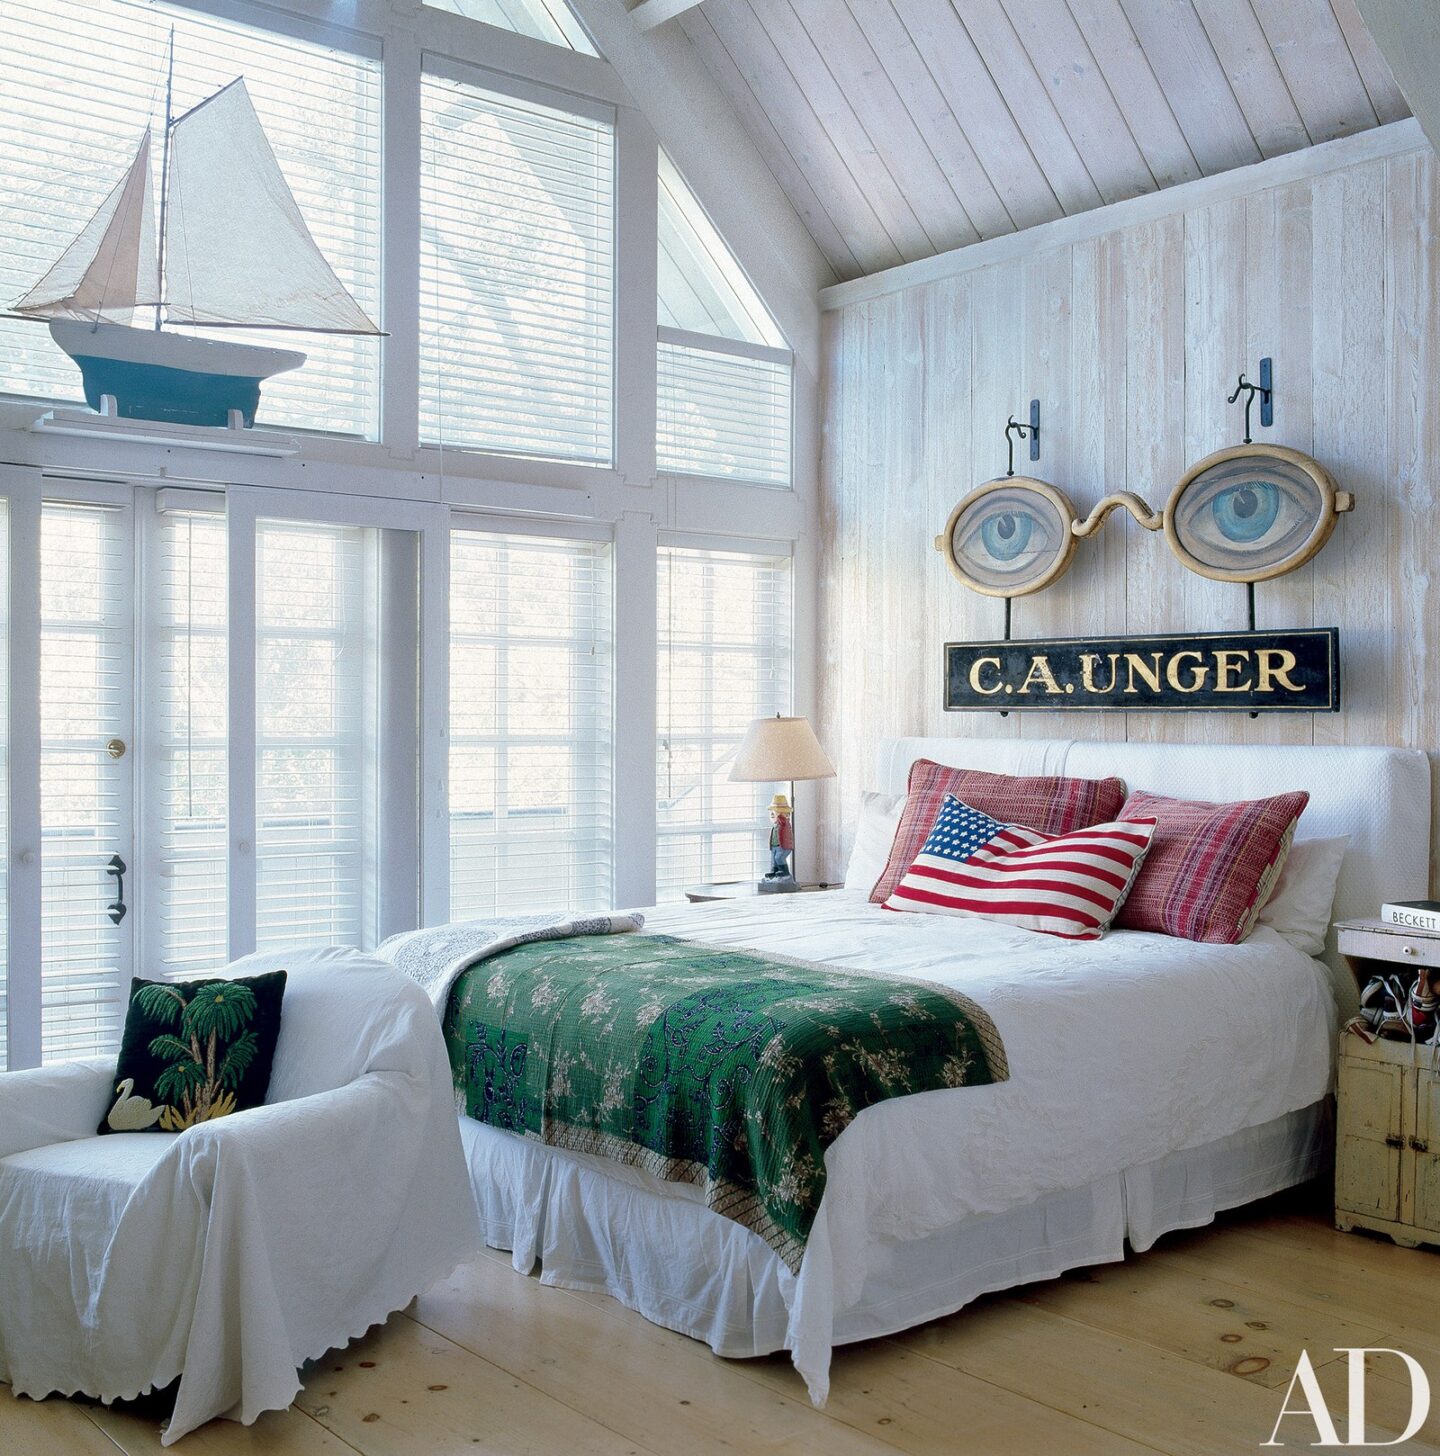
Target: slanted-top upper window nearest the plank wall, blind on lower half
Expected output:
[724,373]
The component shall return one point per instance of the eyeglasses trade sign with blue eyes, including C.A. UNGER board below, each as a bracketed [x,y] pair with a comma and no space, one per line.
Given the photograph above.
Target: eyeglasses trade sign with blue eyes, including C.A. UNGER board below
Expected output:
[1246,515]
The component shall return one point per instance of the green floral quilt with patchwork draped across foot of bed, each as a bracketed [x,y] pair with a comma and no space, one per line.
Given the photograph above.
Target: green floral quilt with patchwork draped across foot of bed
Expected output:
[704,1065]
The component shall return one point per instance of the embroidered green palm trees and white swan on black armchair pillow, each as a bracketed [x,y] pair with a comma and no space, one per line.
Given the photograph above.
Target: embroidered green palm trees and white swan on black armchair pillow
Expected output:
[207,1049]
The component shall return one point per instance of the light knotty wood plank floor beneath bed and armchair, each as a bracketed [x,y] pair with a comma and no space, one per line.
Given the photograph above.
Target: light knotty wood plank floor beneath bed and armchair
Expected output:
[1184,1350]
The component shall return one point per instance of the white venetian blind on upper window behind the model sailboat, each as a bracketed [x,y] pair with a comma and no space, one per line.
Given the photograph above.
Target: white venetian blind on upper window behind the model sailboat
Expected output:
[81,82]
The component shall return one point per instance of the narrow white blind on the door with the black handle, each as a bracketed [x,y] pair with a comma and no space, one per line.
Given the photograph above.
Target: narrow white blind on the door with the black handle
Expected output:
[87,663]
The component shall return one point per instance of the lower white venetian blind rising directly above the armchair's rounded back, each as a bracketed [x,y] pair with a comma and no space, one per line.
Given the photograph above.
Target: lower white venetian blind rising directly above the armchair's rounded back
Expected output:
[315,733]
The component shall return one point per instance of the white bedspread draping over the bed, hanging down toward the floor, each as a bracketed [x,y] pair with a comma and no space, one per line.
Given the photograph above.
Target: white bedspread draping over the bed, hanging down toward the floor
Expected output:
[1122,1051]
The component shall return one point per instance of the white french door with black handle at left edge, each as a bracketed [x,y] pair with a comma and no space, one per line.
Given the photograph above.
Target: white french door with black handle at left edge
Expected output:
[69,791]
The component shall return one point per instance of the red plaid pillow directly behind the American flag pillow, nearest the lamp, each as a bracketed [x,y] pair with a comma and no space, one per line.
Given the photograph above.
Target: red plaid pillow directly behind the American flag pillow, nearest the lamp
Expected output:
[1049,804]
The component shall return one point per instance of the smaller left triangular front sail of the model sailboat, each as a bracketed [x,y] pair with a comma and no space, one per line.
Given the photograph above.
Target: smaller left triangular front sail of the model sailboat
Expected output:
[110,270]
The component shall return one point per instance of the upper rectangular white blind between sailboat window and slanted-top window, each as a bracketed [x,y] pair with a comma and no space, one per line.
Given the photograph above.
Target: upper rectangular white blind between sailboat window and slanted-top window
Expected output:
[518,274]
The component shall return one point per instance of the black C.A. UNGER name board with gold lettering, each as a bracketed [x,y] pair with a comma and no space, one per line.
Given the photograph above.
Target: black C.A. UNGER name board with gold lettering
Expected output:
[1238,672]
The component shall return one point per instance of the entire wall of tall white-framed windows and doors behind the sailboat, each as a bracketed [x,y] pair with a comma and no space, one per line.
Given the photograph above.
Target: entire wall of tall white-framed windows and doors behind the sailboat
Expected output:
[253,700]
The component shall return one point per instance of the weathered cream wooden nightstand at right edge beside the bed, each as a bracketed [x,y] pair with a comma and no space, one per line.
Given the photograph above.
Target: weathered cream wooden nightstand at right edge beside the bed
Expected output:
[1388,1106]
